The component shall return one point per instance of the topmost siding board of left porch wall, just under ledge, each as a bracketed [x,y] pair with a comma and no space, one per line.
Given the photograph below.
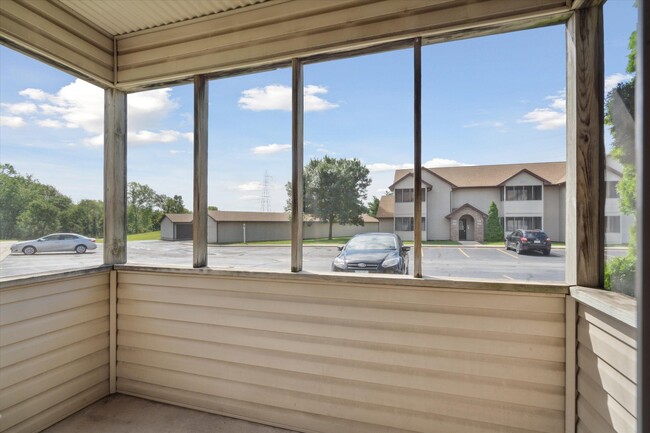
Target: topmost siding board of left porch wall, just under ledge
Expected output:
[38,290]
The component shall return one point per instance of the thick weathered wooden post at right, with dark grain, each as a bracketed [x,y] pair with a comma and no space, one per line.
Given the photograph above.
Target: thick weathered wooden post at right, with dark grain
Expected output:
[585,238]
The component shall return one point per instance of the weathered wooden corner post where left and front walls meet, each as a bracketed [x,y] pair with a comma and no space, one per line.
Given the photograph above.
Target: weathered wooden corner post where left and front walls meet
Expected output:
[114,177]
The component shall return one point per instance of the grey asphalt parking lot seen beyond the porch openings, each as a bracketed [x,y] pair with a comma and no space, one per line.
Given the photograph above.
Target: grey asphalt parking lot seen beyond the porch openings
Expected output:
[466,262]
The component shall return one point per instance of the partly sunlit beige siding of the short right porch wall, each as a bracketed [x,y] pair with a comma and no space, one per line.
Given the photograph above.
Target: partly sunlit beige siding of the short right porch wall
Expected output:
[606,382]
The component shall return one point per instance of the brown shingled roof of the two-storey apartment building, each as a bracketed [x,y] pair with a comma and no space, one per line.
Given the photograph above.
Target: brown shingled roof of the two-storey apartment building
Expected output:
[478,176]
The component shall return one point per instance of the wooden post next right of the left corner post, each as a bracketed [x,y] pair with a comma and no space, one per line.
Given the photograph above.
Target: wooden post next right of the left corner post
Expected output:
[200,217]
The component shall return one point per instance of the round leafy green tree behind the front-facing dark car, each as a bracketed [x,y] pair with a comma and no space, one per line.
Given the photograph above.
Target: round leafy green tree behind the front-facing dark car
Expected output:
[334,190]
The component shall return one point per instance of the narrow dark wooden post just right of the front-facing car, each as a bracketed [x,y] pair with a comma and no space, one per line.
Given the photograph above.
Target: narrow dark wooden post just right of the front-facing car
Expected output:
[417,158]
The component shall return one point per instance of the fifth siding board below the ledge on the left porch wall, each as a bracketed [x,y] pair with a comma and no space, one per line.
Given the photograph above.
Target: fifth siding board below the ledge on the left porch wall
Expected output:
[25,370]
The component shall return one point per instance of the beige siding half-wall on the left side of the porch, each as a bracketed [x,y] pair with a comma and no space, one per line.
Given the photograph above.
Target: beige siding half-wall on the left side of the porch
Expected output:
[54,345]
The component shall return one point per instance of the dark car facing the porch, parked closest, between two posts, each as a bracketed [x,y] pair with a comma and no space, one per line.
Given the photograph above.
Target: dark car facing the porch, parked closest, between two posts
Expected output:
[373,253]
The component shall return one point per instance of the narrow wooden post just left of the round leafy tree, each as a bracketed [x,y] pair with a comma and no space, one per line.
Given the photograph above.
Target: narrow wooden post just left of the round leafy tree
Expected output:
[297,117]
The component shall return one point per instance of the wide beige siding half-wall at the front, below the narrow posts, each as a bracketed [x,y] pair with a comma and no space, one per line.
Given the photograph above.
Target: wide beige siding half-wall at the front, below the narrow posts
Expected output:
[352,356]
